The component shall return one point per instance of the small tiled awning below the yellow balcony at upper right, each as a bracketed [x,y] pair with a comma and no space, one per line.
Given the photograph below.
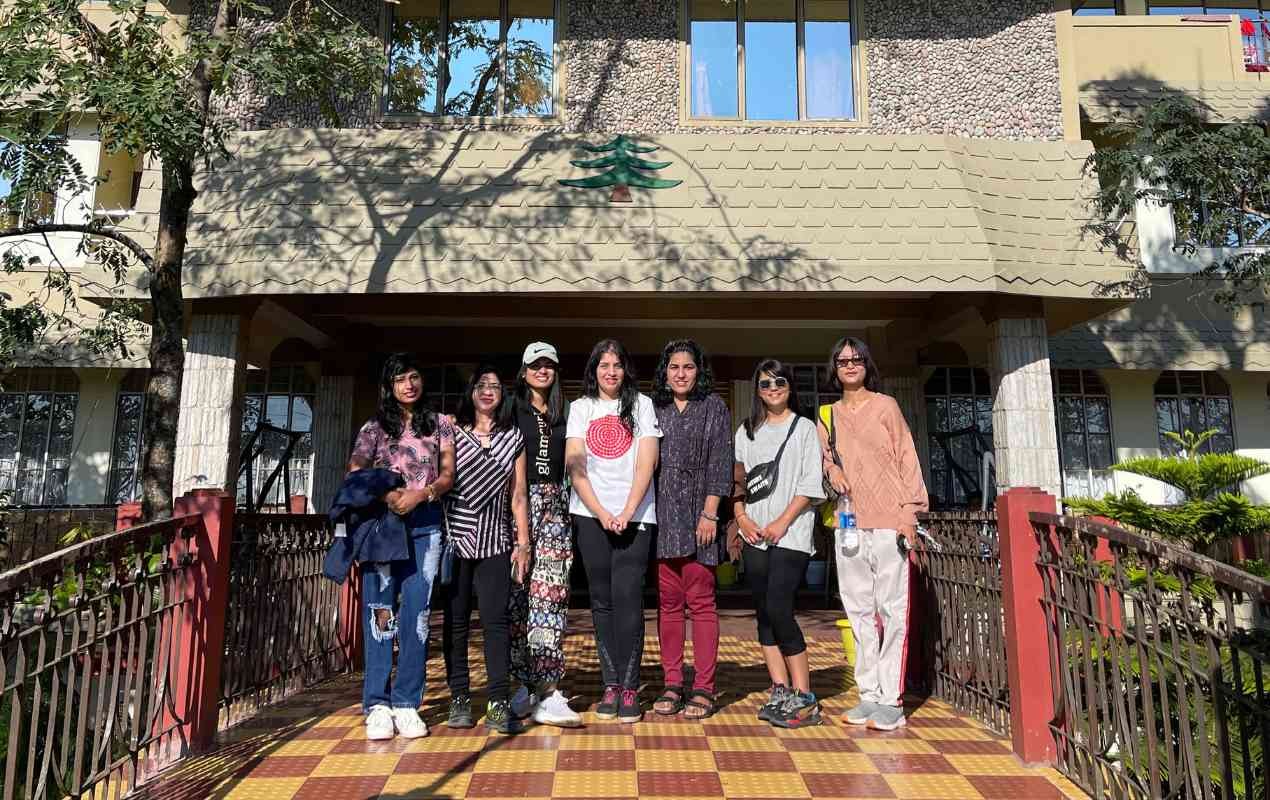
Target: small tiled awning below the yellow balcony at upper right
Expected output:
[1230,101]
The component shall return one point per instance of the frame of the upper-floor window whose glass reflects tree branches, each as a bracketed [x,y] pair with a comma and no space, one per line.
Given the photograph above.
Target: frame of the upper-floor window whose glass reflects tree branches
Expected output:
[559,21]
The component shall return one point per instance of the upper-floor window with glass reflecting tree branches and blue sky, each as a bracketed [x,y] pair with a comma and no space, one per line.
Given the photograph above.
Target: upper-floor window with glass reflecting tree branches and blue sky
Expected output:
[472,58]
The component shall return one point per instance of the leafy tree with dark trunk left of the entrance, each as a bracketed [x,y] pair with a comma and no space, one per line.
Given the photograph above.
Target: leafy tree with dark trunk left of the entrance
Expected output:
[156,95]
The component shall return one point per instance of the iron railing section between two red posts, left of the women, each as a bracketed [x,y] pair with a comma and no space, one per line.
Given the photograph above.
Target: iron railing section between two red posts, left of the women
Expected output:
[283,629]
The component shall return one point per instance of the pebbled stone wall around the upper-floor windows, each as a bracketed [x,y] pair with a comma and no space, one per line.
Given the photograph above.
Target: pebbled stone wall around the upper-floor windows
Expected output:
[959,68]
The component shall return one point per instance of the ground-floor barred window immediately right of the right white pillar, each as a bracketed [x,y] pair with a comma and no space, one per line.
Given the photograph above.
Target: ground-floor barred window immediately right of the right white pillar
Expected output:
[1083,412]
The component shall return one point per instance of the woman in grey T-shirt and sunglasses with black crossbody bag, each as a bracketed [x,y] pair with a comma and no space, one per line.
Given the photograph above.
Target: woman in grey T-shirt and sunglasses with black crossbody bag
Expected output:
[779,465]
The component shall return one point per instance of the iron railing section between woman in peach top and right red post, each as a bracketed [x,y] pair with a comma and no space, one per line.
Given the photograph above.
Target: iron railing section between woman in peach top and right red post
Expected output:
[959,618]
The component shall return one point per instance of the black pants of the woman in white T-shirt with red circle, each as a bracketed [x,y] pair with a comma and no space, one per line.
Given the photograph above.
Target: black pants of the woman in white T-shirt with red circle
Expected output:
[615,568]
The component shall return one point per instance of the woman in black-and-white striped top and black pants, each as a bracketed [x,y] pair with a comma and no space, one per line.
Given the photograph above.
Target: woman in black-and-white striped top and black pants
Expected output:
[483,510]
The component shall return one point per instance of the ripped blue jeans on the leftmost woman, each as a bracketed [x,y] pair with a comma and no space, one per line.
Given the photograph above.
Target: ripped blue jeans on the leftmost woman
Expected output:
[385,618]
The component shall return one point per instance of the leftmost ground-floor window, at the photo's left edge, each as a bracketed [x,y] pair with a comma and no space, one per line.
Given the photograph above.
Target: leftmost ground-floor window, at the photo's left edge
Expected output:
[37,435]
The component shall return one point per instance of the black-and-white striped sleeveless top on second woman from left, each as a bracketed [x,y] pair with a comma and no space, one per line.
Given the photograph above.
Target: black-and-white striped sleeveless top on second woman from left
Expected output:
[479,506]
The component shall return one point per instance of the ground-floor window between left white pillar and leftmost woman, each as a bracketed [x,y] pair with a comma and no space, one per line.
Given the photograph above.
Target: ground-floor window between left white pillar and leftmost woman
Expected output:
[281,397]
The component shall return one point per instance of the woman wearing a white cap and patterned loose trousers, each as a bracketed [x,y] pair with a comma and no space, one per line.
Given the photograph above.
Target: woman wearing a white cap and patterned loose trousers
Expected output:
[540,606]
